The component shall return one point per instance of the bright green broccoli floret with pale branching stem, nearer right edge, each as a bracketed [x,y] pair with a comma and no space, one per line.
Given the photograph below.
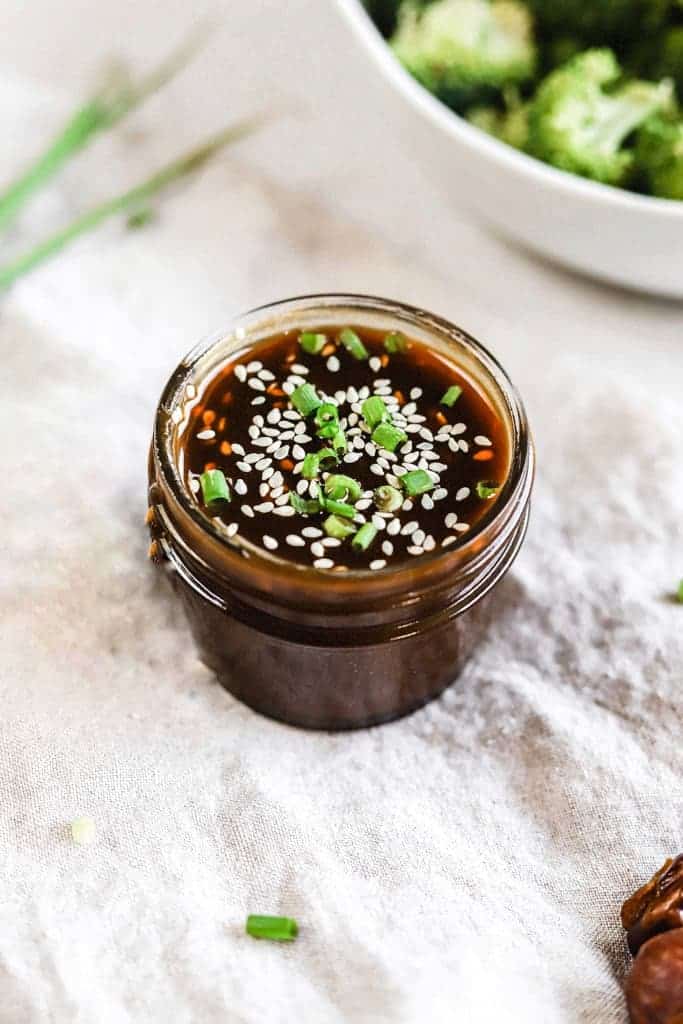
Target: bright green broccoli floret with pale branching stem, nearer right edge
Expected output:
[577,125]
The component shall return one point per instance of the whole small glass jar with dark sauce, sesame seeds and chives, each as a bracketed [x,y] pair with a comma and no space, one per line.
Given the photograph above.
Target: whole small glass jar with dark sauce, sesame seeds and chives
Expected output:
[334,636]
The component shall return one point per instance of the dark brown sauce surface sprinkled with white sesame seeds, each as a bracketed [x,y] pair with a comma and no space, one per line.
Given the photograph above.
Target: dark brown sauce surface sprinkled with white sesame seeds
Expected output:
[223,435]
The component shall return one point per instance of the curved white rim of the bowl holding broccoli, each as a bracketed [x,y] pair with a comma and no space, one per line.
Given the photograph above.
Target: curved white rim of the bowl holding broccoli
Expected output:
[500,153]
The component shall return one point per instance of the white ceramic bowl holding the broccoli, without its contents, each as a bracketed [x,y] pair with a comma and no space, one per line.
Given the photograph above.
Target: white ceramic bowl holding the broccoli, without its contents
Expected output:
[608,233]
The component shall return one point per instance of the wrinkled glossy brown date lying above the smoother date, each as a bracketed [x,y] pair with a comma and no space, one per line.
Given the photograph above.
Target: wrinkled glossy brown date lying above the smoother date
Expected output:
[657,908]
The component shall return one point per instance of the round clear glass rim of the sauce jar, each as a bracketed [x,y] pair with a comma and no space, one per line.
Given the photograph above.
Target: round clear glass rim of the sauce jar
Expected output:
[433,567]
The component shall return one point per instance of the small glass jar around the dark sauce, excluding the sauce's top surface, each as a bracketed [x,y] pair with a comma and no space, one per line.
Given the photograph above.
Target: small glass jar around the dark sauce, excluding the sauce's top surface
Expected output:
[306,647]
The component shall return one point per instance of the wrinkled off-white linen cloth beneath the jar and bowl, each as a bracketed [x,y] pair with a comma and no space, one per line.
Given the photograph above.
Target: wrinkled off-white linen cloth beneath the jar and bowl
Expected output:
[475,855]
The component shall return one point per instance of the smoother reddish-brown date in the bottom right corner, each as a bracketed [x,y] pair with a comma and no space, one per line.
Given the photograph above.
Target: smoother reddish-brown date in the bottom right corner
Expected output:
[655,988]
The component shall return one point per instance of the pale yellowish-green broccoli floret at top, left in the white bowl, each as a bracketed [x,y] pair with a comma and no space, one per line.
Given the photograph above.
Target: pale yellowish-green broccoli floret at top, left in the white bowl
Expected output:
[466,52]
